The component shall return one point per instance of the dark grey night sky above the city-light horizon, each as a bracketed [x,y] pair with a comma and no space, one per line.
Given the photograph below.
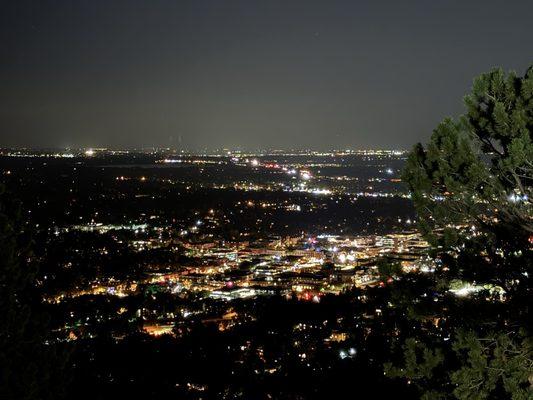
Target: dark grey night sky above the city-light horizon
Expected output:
[249,74]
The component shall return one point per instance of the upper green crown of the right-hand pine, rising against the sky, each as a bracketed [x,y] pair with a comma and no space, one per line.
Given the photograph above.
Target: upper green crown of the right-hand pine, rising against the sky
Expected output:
[478,170]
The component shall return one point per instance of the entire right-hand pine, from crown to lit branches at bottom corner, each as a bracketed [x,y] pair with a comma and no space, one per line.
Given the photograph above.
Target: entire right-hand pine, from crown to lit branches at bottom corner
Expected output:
[472,186]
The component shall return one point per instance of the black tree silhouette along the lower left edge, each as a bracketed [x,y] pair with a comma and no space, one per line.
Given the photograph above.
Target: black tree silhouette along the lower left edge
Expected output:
[30,366]
